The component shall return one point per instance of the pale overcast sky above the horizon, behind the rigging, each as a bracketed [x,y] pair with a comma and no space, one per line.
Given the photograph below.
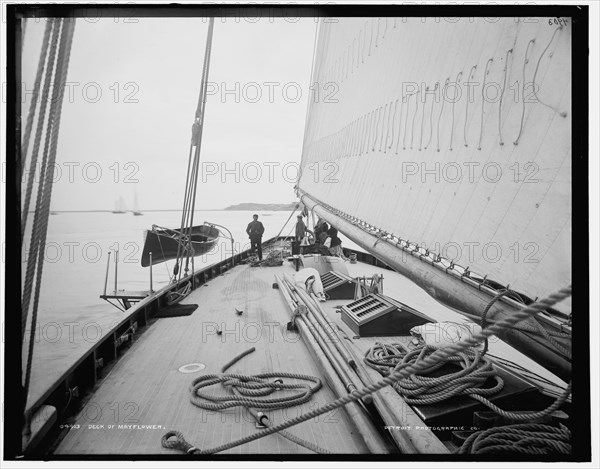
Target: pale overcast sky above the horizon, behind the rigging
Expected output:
[132,95]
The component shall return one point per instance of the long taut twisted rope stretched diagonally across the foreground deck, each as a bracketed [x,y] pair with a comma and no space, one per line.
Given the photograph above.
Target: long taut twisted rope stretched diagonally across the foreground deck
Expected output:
[440,354]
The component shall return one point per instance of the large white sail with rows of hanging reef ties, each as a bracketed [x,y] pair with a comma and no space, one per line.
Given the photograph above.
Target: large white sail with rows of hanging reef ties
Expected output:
[423,128]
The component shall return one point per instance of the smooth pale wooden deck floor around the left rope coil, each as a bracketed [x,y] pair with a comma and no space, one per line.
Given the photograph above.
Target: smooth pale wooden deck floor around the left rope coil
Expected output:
[146,388]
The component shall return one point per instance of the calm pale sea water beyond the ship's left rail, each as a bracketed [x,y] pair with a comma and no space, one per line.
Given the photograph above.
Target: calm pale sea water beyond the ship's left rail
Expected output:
[71,316]
